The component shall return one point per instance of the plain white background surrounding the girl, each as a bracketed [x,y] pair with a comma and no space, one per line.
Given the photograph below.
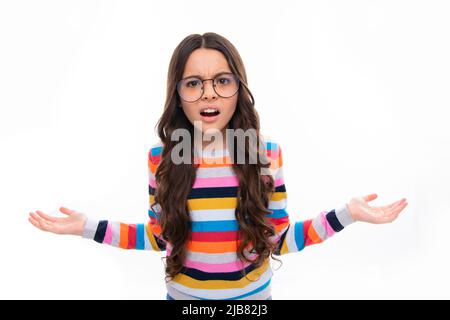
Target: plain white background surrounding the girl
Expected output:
[355,92]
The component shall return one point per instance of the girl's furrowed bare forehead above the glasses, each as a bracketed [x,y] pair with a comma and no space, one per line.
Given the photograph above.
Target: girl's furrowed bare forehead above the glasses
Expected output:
[205,62]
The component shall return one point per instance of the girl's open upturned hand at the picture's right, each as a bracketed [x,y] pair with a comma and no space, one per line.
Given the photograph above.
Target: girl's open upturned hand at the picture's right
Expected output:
[360,210]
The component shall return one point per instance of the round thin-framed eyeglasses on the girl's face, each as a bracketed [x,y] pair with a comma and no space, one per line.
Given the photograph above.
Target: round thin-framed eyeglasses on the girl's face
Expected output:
[191,89]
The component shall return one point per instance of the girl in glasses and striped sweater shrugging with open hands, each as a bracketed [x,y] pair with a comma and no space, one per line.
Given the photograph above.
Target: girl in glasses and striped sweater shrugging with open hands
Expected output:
[218,215]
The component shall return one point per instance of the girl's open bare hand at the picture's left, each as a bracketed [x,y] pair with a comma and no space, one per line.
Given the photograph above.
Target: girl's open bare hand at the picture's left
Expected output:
[72,224]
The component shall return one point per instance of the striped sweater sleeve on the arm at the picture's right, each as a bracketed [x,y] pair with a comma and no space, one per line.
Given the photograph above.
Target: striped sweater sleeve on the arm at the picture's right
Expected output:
[293,236]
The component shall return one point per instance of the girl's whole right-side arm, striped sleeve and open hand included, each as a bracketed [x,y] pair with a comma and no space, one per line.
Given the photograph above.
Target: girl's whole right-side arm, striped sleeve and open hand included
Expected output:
[294,236]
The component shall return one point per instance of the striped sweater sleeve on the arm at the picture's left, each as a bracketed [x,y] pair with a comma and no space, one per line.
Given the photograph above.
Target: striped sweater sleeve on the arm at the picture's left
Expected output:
[140,236]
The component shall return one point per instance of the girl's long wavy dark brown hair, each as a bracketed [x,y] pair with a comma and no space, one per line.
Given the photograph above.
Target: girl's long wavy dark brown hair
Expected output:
[254,188]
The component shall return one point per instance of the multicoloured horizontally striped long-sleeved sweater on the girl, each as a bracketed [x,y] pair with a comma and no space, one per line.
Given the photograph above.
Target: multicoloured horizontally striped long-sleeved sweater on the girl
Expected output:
[212,267]
